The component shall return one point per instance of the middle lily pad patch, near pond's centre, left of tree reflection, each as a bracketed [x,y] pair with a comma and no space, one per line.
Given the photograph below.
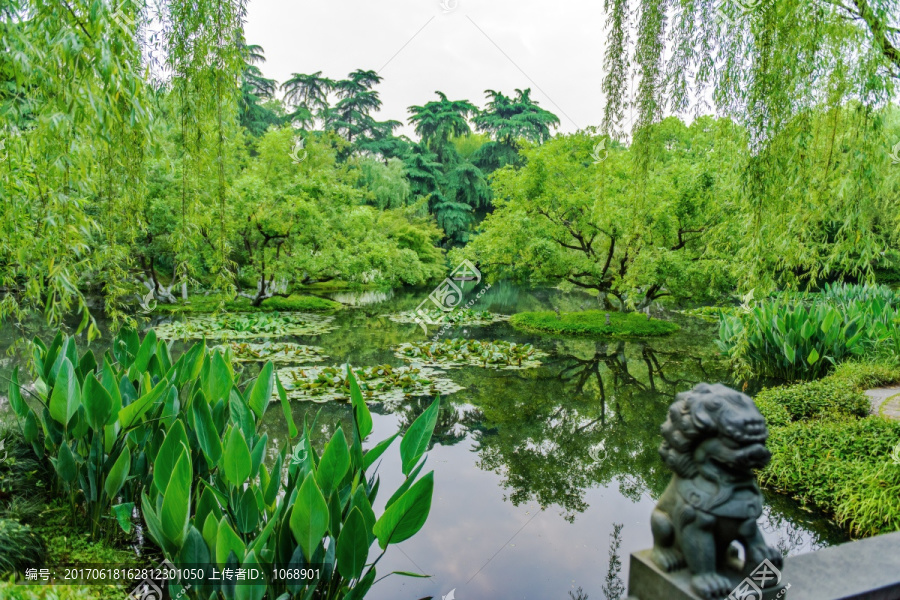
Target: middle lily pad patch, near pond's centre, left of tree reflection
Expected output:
[456,352]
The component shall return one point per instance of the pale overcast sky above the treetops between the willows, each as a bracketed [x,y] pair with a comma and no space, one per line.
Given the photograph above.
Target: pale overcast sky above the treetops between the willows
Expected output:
[461,48]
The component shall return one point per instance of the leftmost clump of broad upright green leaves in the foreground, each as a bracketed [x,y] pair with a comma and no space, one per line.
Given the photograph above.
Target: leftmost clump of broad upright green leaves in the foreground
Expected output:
[95,418]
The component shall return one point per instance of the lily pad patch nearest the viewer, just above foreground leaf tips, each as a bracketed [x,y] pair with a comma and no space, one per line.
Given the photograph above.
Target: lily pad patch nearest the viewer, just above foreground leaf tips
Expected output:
[381,383]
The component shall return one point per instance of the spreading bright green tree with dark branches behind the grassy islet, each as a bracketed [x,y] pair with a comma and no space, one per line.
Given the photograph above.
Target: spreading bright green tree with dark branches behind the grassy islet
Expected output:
[573,213]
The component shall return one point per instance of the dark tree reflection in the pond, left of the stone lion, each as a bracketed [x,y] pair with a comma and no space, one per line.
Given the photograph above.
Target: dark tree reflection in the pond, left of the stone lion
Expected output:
[538,432]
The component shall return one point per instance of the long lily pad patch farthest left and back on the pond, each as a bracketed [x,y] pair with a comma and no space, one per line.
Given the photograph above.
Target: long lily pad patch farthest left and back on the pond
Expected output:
[246,325]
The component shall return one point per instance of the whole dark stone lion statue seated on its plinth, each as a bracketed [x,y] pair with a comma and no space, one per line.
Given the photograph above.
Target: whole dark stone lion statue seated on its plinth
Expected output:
[713,439]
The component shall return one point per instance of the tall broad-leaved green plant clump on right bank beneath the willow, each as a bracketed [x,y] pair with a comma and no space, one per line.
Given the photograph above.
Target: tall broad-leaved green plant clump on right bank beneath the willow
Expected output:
[802,337]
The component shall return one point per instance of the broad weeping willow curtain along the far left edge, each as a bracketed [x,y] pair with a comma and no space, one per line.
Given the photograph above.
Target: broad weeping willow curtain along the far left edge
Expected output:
[73,123]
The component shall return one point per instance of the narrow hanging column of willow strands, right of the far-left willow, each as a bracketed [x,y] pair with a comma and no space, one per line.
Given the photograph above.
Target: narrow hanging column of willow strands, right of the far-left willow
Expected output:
[204,50]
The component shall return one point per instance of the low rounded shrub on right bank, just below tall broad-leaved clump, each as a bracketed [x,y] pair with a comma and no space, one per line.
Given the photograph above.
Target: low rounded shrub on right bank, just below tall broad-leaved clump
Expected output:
[829,396]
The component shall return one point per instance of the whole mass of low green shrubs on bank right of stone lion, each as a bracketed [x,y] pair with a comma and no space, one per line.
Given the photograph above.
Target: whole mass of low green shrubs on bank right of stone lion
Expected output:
[828,451]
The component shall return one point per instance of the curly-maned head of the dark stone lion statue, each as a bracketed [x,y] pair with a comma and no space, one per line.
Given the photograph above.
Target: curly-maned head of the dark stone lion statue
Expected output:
[715,431]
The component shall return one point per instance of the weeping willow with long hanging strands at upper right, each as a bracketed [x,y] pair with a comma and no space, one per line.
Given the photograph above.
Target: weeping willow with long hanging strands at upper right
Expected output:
[812,82]
